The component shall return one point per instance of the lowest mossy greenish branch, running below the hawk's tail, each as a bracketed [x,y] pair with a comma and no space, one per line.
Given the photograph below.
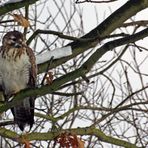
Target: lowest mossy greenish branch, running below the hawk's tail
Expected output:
[78,131]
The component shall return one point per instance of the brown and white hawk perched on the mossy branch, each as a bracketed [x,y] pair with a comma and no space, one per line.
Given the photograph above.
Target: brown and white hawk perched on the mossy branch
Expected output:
[18,71]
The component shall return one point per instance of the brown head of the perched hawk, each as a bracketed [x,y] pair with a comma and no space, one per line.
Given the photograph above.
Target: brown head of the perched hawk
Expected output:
[13,39]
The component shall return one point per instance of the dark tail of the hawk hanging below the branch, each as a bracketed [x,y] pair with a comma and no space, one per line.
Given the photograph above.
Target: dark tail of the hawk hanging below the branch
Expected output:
[24,113]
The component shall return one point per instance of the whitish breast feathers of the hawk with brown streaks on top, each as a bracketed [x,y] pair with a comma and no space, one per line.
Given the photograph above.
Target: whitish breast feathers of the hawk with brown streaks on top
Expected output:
[14,71]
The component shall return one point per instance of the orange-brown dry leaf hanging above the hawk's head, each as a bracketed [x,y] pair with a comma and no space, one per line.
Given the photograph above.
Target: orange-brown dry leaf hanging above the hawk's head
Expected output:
[21,20]
